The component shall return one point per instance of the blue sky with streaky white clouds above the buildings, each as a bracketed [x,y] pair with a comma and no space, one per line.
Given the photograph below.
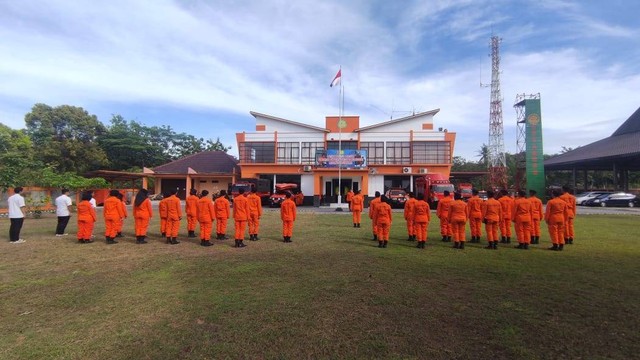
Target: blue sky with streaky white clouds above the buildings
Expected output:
[200,66]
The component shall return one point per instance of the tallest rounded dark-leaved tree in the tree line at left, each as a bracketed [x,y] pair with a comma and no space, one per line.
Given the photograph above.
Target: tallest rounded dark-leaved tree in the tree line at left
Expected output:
[65,137]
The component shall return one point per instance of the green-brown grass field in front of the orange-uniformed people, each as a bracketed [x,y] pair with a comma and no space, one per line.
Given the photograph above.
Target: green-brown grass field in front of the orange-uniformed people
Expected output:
[329,294]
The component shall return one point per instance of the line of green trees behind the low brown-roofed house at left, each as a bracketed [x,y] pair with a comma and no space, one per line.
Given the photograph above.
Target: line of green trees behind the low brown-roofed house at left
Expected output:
[59,145]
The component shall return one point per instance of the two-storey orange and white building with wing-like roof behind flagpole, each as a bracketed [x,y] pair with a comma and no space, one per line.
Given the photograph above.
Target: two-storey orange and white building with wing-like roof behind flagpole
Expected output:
[327,161]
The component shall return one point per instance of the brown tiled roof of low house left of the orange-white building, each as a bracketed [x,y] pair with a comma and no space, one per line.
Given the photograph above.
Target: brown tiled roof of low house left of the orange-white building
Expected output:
[206,162]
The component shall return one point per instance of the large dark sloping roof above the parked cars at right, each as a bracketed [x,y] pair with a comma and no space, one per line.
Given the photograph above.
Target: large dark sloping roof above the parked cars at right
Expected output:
[621,148]
